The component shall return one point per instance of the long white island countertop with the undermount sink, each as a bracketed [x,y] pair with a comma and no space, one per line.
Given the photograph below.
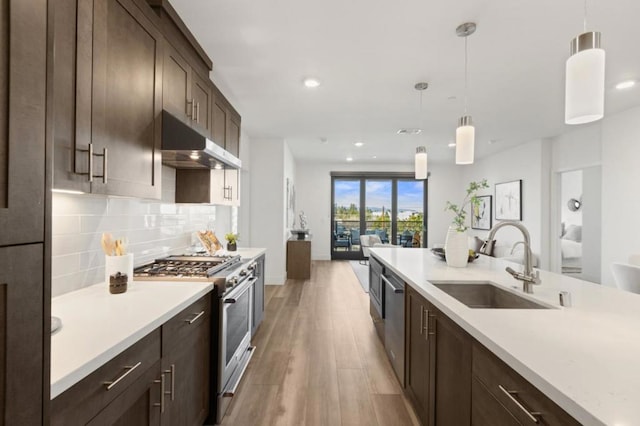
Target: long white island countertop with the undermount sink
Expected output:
[586,357]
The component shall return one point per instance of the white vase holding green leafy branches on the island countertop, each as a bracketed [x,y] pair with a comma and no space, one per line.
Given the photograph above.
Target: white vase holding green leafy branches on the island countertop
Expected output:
[456,246]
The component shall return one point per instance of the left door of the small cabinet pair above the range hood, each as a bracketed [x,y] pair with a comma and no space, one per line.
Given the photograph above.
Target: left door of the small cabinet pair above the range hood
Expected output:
[176,85]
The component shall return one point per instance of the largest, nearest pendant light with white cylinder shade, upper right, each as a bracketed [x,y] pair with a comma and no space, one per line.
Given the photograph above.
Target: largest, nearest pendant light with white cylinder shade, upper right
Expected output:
[584,89]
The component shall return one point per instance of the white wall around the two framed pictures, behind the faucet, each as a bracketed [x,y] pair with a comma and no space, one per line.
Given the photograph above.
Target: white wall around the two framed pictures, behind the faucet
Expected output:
[525,162]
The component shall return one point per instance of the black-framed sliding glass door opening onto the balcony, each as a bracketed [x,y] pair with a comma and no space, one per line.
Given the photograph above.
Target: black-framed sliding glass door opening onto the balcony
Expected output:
[391,206]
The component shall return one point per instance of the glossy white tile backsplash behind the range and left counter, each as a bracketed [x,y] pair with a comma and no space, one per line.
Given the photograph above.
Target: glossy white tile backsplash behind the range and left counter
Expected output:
[153,229]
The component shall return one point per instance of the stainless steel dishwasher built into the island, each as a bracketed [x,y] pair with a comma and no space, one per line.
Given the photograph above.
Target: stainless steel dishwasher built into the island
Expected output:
[394,322]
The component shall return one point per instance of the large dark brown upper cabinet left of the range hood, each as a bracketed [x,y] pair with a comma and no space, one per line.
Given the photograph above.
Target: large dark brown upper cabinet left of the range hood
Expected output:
[107,124]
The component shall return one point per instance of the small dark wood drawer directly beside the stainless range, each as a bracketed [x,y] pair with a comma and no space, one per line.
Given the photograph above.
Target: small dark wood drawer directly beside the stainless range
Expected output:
[178,328]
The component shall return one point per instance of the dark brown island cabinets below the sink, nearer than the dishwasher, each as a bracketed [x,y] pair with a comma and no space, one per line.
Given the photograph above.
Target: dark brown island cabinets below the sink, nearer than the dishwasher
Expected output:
[451,379]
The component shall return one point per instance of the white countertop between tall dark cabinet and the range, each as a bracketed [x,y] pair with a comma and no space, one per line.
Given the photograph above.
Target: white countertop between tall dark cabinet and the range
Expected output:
[97,325]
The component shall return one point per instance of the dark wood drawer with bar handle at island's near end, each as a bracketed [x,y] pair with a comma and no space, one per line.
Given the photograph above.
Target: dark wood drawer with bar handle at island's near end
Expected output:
[524,398]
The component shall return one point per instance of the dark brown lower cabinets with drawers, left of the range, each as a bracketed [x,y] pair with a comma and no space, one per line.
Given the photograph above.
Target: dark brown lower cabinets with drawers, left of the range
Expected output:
[163,379]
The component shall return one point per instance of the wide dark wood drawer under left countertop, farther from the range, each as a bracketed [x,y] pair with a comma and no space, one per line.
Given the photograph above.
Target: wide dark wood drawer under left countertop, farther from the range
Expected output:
[85,399]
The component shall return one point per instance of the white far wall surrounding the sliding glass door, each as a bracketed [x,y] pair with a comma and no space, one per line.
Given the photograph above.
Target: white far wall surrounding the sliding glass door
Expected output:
[313,188]
